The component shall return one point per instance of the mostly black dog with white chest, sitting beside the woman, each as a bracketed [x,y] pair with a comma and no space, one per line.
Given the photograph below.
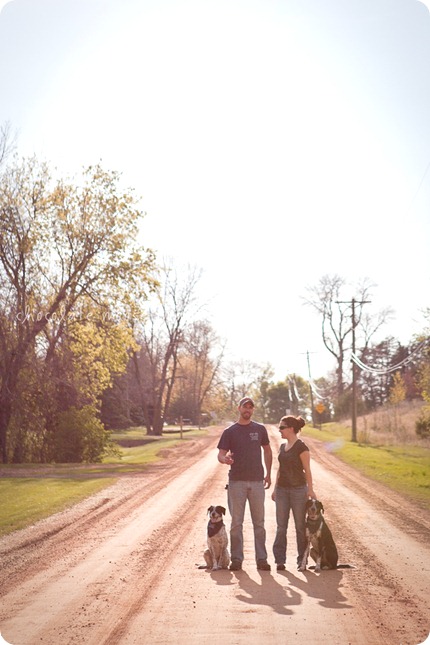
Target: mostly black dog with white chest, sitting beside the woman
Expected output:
[321,546]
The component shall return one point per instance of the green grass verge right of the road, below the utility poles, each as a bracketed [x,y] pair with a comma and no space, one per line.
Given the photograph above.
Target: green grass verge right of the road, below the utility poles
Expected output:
[405,469]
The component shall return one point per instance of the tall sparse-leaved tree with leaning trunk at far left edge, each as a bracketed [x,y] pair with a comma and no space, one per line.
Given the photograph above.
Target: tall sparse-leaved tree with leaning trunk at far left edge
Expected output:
[61,244]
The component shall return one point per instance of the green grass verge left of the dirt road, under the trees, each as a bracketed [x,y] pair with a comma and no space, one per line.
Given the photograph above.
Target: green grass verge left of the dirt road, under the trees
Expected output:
[34,491]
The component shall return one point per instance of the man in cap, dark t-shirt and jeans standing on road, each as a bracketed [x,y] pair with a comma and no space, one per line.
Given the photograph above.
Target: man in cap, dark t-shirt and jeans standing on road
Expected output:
[240,448]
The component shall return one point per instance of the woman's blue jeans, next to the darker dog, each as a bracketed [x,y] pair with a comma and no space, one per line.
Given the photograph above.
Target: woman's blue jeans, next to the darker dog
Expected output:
[290,499]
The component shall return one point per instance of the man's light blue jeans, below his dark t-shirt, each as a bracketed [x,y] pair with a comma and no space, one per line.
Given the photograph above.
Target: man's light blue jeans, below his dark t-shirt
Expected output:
[239,492]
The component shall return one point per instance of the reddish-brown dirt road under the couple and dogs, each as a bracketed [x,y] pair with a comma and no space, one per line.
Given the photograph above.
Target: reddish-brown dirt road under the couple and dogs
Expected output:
[120,568]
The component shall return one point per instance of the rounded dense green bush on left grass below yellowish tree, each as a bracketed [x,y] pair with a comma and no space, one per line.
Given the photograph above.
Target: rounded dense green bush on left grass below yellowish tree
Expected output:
[80,437]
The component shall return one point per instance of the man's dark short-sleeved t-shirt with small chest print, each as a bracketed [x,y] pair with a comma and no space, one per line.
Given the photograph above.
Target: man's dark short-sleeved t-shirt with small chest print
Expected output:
[245,442]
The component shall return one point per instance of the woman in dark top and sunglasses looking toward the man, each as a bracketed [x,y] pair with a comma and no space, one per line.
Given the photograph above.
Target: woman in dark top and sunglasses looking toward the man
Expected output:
[292,490]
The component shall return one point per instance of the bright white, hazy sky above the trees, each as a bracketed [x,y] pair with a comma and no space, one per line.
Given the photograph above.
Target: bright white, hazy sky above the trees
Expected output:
[272,141]
